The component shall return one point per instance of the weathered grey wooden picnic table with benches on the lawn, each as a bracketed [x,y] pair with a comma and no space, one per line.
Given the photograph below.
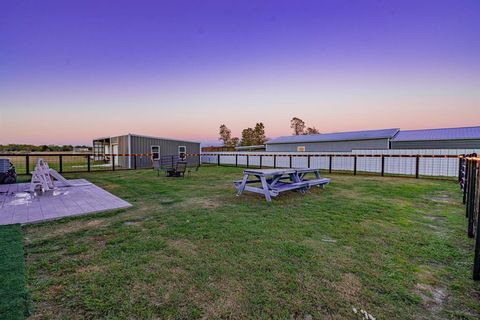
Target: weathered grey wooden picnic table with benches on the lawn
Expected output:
[274,181]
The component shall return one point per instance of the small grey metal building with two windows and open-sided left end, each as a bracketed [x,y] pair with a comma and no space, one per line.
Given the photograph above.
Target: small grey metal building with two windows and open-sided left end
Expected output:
[133,150]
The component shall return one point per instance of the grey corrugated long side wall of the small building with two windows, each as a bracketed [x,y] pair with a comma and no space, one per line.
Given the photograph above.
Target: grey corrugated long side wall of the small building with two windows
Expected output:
[167,147]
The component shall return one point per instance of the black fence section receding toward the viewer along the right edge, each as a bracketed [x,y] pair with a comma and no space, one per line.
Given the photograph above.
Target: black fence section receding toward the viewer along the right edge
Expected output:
[470,185]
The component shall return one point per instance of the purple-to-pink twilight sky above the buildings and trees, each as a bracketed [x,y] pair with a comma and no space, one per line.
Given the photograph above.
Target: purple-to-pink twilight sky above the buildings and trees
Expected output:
[74,70]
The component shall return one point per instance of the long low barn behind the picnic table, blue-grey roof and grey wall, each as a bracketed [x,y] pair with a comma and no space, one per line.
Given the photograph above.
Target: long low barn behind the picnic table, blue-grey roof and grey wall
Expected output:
[333,142]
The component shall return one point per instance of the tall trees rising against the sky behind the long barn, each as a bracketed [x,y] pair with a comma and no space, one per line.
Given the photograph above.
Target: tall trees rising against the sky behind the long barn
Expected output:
[256,135]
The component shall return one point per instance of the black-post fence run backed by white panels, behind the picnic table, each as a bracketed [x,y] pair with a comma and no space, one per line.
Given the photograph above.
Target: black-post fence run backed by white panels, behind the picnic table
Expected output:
[415,165]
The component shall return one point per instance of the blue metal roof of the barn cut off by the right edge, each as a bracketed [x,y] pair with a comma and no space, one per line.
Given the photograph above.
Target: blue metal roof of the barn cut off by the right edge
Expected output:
[439,134]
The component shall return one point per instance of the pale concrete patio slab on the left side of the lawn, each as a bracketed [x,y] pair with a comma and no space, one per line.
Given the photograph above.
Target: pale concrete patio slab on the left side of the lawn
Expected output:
[19,206]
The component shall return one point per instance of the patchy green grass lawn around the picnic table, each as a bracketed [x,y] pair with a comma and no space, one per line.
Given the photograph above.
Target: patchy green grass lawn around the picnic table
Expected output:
[189,248]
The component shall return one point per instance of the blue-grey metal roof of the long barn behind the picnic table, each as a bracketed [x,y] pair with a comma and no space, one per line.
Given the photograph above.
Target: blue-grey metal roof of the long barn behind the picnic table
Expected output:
[337,136]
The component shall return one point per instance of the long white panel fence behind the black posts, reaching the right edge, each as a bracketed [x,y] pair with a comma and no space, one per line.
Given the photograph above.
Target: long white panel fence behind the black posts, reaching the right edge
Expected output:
[397,162]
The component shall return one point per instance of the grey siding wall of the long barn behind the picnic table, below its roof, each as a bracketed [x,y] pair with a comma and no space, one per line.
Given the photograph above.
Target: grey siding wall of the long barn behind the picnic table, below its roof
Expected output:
[330,146]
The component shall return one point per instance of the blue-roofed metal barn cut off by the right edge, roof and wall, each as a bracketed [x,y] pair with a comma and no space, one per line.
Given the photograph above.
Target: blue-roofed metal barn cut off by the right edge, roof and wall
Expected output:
[446,138]
